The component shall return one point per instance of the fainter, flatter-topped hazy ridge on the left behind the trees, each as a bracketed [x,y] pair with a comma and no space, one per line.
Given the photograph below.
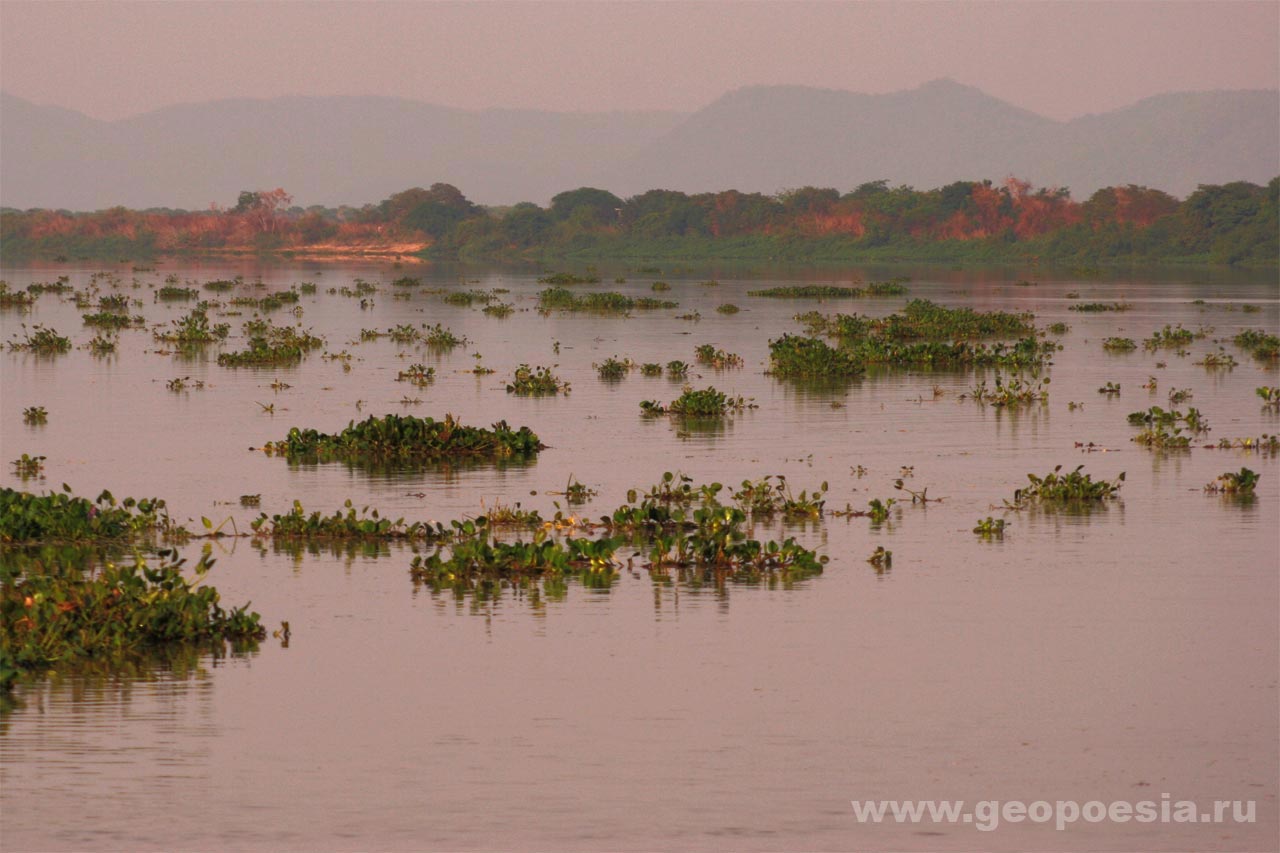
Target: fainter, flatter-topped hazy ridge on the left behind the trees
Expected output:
[324,150]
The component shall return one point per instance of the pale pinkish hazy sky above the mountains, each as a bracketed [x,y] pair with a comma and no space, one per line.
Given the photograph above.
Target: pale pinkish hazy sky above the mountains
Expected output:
[1060,60]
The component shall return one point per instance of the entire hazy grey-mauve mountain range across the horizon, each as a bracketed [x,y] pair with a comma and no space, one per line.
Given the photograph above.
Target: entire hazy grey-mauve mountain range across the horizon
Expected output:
[356,150]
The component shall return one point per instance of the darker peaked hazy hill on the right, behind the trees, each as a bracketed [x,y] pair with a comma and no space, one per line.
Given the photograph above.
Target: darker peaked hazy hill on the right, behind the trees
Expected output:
[766,139]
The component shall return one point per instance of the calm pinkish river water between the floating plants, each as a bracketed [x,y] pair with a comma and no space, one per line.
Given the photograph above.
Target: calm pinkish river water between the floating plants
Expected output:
[1112,656]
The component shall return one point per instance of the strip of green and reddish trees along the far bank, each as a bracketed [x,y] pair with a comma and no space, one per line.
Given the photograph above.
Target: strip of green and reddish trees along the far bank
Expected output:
[1235,223]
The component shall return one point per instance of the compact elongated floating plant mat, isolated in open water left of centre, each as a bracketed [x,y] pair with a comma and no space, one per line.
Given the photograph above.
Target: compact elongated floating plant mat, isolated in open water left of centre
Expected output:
[409,439]
